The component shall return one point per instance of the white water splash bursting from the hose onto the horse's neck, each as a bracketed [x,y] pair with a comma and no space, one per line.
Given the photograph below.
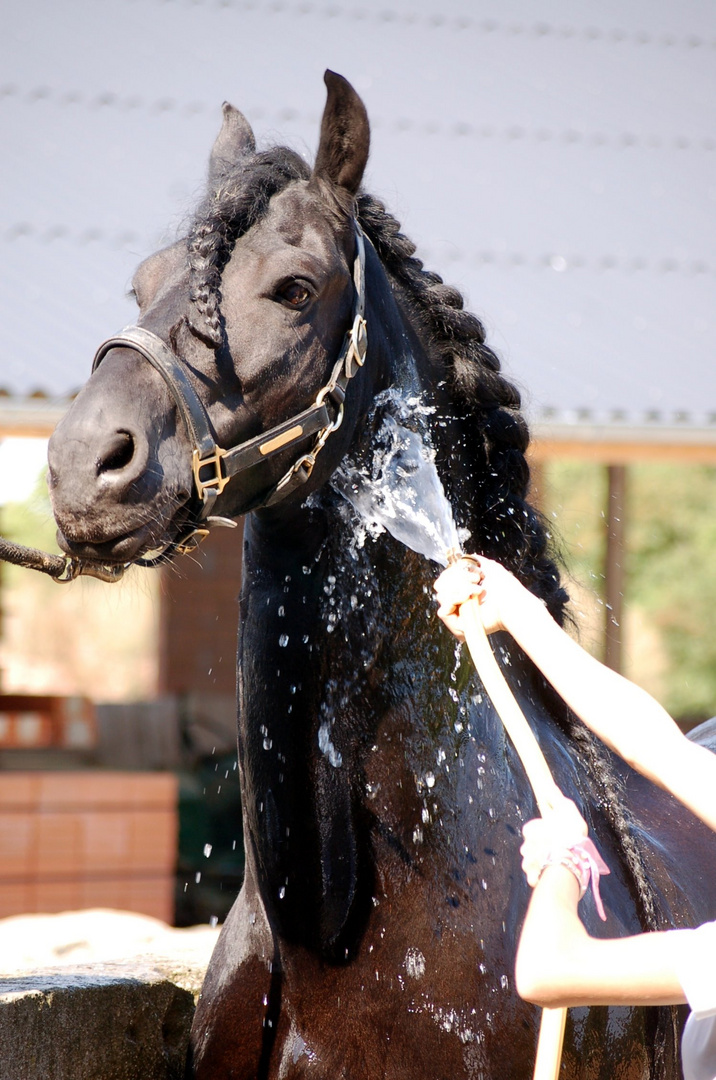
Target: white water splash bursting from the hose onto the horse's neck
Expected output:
[403,494]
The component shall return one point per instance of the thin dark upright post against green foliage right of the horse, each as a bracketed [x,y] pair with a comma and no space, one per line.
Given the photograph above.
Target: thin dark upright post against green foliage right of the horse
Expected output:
[615,566]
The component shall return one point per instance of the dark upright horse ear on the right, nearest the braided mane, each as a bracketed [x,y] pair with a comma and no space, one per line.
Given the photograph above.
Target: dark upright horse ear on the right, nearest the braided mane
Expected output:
[345,137]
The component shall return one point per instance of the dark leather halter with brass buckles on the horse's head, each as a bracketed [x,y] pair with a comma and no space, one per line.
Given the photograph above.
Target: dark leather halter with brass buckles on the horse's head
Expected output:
[214,467]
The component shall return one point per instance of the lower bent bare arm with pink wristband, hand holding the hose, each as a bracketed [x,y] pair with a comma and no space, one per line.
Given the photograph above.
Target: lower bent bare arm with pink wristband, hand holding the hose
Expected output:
[559,964]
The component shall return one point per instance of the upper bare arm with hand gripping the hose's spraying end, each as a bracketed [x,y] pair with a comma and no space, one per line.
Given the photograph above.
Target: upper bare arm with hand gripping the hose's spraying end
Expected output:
[625,717]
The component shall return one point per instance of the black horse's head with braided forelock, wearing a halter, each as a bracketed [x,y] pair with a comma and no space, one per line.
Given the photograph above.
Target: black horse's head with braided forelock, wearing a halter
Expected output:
[250,331]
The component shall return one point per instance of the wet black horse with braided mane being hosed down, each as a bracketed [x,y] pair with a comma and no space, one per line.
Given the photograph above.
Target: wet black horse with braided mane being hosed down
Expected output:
[376,928]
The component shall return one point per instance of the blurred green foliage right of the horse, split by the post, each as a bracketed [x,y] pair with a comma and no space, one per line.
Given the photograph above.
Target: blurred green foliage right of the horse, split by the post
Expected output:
[671,568]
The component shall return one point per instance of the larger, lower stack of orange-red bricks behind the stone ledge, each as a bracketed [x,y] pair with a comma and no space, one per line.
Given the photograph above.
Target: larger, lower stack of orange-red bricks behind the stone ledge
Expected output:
[84,840]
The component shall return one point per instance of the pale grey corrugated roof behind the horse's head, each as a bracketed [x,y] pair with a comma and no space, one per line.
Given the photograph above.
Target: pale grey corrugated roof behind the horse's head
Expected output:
[560,167]
